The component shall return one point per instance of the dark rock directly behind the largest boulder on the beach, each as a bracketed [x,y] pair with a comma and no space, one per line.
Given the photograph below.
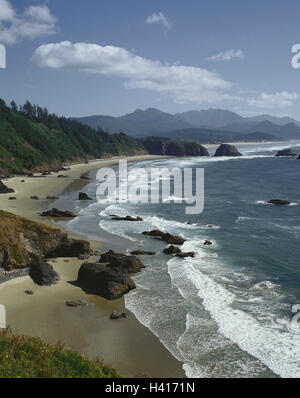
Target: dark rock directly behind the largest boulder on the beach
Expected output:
[127,264]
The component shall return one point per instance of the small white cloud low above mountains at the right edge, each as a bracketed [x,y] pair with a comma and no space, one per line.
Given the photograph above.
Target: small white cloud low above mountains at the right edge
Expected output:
[281,99]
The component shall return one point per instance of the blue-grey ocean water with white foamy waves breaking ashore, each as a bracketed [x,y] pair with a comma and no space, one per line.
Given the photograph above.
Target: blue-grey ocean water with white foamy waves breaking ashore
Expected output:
[228,311]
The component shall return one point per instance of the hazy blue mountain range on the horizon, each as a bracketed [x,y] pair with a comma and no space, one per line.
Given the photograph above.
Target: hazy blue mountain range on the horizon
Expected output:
[201,124]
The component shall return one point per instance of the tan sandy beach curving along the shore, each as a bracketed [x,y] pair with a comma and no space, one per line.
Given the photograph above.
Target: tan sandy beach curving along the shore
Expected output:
[126,345]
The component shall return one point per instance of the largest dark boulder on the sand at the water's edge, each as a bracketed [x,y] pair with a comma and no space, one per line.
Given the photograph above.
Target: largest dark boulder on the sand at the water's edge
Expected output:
[103,281]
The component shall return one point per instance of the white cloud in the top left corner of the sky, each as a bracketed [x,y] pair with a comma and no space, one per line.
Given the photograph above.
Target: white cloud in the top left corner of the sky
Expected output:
[35,21]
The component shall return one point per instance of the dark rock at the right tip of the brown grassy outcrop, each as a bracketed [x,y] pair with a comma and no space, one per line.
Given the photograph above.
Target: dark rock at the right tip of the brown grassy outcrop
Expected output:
[71,248]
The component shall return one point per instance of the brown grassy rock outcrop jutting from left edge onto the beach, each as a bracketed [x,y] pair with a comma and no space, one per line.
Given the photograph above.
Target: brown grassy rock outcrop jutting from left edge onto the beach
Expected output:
[22,241]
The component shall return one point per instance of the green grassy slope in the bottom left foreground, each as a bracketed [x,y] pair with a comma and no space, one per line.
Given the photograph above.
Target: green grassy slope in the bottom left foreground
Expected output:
[27,357]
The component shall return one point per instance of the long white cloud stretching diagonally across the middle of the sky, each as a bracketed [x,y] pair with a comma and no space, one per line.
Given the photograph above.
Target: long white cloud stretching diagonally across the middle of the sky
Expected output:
[183,83]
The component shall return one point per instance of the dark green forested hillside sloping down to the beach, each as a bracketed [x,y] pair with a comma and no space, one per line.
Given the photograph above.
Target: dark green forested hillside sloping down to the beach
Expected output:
[30,137]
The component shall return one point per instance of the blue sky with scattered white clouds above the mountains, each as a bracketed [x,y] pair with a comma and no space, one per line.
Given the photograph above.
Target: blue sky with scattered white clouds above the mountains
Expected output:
[91,57]
